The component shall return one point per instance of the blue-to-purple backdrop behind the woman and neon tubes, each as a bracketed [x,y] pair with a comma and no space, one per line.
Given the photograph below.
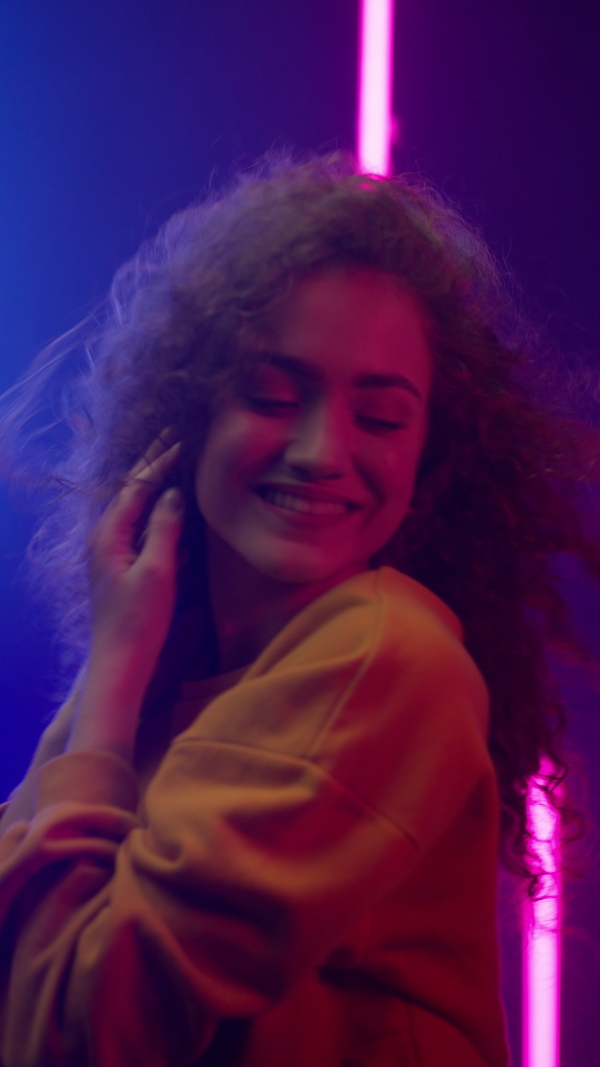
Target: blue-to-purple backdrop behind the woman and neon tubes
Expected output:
[116,114]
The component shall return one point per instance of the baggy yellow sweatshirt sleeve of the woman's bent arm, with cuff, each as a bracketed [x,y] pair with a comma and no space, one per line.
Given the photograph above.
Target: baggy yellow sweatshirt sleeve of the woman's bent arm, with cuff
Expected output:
[292,805]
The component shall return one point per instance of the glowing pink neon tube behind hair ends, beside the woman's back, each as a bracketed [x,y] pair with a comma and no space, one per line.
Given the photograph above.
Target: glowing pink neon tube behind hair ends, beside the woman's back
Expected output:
[542,949]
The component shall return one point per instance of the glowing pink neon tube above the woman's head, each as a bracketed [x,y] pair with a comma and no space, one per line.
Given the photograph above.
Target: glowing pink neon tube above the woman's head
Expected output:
[375,122]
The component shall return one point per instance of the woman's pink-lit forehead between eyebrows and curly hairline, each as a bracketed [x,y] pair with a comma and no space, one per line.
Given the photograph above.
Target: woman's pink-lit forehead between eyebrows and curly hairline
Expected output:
[351,324]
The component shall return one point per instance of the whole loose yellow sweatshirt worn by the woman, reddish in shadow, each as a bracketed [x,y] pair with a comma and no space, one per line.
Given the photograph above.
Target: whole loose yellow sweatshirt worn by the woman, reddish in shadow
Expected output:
[308,881]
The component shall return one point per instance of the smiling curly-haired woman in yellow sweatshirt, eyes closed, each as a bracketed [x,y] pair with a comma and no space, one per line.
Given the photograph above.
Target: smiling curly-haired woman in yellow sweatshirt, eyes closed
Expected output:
[306,552]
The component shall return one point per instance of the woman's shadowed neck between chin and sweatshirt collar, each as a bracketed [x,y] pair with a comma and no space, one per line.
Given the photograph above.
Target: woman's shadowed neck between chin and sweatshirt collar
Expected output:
[249,609]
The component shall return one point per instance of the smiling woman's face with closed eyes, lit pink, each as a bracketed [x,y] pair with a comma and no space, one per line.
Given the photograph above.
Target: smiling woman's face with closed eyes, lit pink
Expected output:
[310,463]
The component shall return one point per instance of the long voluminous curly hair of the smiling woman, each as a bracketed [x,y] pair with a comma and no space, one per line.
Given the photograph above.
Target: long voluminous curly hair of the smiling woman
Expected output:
[498,492]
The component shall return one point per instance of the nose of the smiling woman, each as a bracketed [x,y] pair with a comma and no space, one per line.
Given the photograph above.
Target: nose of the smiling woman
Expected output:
[320,445]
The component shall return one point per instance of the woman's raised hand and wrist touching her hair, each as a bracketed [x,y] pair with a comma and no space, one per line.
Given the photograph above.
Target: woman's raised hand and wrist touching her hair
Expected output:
[133,601]
